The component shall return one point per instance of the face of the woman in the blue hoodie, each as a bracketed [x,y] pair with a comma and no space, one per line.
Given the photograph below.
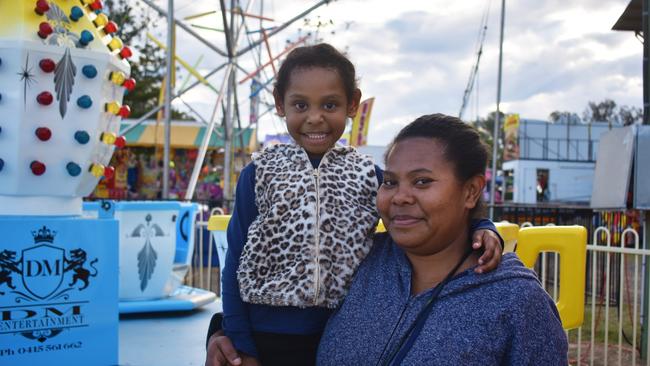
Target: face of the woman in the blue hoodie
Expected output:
[421,202]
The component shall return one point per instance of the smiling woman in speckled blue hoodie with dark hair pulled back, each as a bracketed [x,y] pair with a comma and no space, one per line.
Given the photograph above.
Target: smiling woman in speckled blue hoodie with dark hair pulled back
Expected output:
[415,300]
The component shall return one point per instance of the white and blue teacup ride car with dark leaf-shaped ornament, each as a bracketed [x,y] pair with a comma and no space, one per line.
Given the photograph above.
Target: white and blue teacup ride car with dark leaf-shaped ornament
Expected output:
[156,242]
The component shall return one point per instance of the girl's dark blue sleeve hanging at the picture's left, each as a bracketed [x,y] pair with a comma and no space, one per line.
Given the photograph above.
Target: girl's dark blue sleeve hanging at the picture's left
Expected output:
[236,323]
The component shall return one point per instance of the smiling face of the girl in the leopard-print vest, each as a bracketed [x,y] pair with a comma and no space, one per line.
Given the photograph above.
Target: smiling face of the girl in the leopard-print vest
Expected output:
[316,108]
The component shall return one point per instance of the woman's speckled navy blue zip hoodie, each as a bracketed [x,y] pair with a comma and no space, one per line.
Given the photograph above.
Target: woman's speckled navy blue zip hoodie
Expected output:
[503,317]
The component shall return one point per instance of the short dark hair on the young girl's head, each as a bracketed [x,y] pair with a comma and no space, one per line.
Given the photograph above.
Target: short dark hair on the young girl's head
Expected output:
[321,55]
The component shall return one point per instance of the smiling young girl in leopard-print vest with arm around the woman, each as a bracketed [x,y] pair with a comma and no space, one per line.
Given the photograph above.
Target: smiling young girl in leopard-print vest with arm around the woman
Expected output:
[304,218]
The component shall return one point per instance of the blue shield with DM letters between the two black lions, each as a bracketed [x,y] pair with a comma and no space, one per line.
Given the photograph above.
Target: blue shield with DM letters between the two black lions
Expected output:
[42,270]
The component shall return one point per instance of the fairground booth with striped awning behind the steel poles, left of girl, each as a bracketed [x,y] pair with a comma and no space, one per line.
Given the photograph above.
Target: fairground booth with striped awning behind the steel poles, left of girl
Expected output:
[138,166]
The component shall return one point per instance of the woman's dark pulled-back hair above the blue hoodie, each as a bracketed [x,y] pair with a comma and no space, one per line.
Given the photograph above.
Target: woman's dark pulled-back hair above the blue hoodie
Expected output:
[463,147]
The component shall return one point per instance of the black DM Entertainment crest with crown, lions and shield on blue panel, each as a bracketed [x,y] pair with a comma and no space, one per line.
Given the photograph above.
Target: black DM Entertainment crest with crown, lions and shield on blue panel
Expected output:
[48,276]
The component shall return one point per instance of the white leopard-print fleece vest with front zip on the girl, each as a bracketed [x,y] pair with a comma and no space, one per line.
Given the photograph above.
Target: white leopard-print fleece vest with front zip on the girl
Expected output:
[313,229]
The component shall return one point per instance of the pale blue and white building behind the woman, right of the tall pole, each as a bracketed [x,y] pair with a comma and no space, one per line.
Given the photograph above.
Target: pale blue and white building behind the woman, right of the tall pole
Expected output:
[549,162]
